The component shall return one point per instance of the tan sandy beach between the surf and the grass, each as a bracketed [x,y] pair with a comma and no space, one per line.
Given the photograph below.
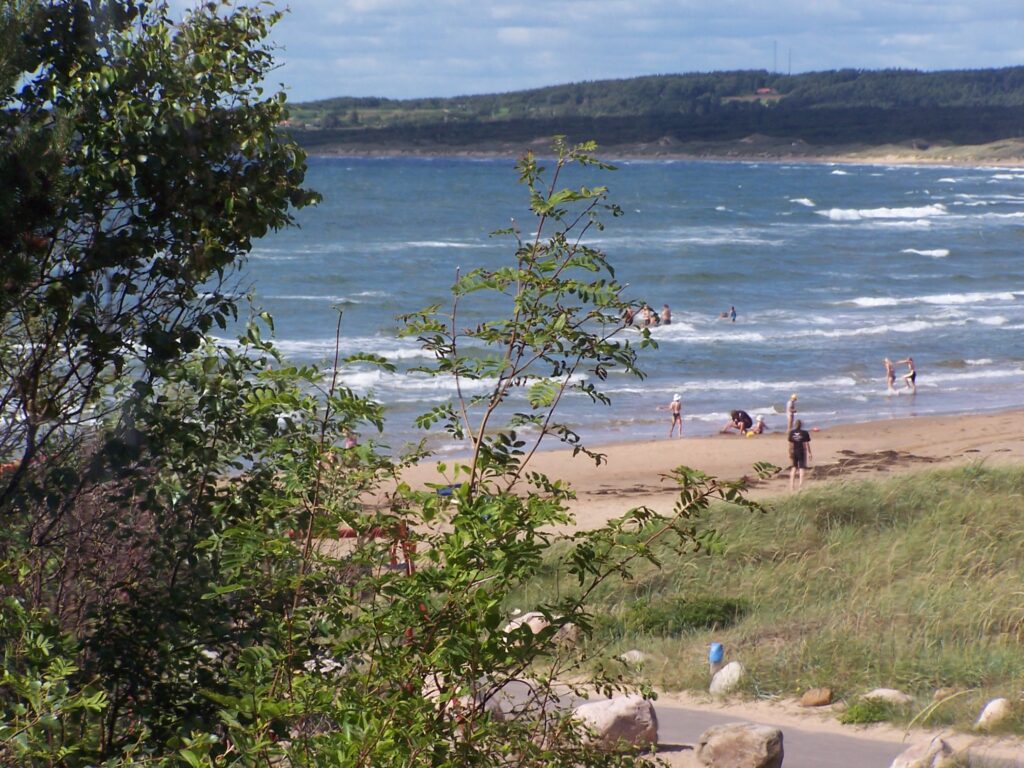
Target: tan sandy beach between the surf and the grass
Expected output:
[635,474]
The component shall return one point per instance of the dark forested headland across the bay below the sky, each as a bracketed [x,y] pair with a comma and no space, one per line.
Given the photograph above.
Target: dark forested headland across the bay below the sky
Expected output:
[765,112]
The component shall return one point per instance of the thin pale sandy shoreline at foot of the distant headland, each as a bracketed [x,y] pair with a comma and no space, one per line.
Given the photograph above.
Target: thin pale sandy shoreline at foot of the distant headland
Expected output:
[1005,154]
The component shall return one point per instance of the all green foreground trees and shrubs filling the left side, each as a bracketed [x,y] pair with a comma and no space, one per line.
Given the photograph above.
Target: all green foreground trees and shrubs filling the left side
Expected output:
[194,570]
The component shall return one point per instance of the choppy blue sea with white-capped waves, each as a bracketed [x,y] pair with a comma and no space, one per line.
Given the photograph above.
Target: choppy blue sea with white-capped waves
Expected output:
[831,268]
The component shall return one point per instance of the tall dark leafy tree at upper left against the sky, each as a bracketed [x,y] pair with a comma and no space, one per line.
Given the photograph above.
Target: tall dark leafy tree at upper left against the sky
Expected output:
[139,162]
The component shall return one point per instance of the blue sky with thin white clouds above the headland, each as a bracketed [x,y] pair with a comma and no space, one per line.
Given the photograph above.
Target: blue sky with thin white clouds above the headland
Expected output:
[415,49]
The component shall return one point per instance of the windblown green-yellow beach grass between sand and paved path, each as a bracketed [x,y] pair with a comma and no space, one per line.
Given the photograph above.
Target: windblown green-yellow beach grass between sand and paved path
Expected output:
[915,582]
